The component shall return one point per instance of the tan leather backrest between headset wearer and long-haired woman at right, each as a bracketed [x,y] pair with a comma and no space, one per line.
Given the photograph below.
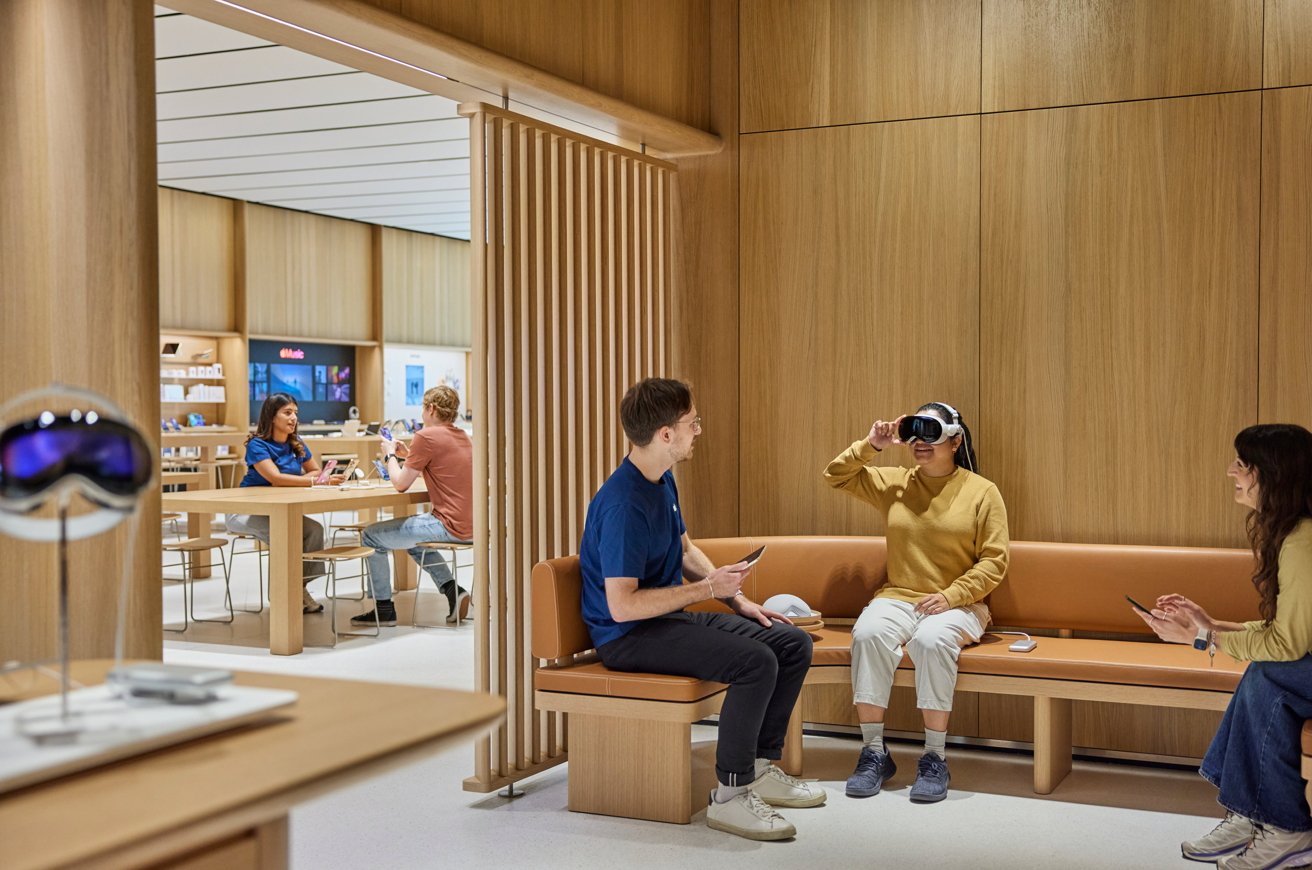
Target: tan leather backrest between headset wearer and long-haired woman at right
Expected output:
[1084,586]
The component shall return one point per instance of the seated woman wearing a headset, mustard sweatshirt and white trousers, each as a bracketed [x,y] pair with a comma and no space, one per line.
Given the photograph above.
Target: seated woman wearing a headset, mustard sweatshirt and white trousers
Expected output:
[948,549]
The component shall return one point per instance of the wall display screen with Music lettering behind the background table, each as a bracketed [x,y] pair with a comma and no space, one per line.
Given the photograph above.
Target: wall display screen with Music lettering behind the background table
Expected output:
[321,377]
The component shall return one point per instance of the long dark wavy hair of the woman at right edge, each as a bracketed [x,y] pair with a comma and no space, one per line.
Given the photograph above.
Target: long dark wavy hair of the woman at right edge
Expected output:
[1281,455]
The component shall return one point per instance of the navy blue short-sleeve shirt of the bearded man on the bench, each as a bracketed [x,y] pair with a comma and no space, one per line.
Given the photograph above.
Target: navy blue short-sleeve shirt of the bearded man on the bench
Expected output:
[634,529]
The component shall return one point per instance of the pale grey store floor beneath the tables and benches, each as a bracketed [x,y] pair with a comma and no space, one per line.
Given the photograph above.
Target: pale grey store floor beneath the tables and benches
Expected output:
[1104,816]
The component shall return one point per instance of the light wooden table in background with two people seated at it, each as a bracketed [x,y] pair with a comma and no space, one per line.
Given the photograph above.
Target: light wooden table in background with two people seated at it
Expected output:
[285,508]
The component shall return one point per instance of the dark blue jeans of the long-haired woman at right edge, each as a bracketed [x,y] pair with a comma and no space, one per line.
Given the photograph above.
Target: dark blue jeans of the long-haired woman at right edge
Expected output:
[1255,758]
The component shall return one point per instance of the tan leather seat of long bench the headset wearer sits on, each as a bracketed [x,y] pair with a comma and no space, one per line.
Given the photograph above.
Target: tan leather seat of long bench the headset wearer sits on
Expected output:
[1116,662]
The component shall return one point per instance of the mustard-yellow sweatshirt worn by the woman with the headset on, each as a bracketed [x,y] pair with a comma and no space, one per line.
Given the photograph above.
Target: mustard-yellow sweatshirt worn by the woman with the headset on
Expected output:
[945,535]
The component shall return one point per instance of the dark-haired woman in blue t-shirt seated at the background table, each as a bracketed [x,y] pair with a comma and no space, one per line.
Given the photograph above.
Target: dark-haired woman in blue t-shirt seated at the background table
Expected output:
[277,457]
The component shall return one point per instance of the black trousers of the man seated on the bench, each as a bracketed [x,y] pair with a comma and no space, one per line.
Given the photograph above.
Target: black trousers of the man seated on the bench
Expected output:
[763,667]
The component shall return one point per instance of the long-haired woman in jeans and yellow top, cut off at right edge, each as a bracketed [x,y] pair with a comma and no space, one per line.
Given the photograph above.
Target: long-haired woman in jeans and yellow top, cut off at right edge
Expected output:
[1255,756]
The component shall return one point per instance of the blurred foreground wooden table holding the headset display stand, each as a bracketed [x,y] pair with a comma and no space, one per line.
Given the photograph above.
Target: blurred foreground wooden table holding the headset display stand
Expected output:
[224,801]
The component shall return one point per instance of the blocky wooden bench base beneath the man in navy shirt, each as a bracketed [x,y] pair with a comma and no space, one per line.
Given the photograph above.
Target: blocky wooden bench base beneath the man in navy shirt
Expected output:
[630,758]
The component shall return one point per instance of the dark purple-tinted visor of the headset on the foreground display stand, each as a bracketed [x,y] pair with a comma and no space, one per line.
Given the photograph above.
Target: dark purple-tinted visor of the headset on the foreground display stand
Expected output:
[35,457]
